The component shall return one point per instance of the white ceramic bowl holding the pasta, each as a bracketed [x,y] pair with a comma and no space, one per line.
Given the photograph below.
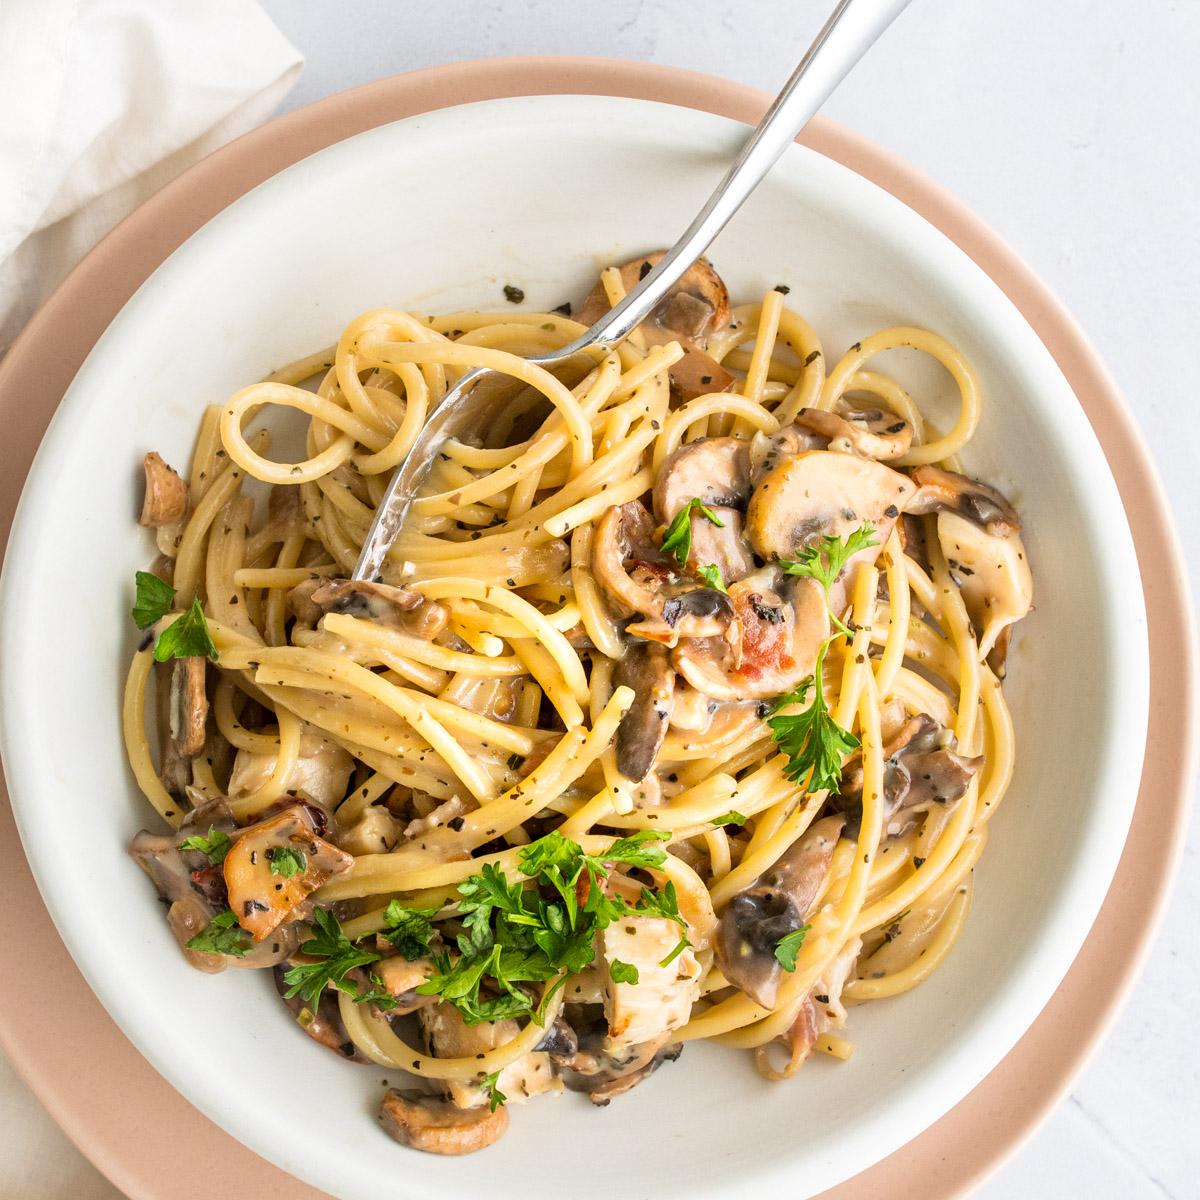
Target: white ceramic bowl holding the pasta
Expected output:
[437,213]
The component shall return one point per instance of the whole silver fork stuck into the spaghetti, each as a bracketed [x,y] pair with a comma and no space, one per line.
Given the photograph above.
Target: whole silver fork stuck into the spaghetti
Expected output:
[845,38]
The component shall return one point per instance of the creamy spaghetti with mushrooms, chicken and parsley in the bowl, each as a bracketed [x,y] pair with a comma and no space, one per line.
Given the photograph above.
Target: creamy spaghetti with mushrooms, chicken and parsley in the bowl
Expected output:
[676,715]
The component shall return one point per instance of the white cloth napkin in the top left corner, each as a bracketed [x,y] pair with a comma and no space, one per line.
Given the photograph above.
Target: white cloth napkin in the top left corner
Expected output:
[105,101]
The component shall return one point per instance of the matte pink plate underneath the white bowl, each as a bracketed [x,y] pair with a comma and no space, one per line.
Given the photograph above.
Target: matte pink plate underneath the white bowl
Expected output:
[93,1079]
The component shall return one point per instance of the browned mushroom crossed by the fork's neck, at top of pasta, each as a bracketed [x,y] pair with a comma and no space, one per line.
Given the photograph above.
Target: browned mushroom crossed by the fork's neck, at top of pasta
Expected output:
[695,308]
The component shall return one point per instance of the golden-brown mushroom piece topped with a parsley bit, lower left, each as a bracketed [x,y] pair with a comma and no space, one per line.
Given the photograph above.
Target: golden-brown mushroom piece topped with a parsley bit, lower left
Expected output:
[262,892]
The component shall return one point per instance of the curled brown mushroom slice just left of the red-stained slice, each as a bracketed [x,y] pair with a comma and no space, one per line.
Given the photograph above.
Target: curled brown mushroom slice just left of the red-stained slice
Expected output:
[638,578]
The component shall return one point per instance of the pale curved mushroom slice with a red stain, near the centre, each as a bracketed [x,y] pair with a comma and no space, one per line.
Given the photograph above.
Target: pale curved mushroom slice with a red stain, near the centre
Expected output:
[783,623]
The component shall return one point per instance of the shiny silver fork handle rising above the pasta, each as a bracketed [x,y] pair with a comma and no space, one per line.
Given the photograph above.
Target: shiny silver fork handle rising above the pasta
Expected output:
[845,38]
